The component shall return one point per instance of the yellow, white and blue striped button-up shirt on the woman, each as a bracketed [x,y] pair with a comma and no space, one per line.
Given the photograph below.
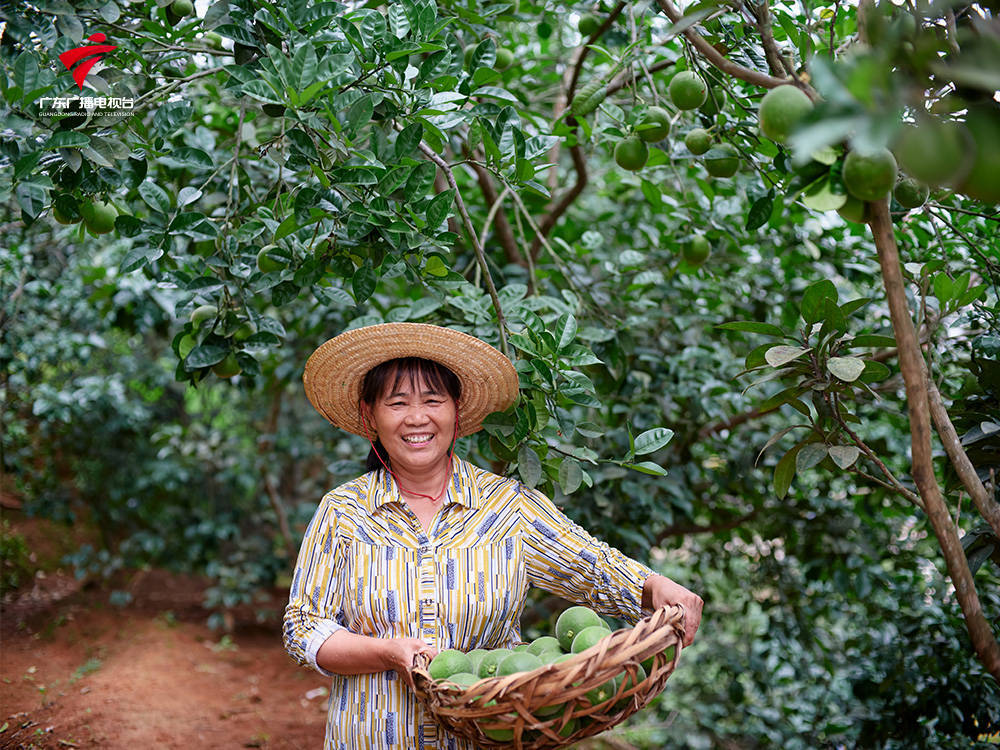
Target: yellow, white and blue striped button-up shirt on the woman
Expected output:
[366,564]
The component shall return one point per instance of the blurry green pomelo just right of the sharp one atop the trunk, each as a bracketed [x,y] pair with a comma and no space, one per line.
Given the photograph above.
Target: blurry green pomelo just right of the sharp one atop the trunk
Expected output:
[933,151]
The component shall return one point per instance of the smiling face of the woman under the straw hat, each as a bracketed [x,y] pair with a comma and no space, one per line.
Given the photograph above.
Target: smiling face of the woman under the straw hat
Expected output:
[415,423]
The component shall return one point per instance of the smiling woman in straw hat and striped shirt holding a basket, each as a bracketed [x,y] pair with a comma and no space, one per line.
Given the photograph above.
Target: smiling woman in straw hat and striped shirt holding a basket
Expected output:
[427,552]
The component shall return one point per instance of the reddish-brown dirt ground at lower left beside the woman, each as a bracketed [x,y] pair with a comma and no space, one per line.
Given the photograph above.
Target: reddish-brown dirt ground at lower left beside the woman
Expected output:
[76,671]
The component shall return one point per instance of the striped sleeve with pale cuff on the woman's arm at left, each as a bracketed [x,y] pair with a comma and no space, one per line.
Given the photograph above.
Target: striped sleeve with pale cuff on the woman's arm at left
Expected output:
[313,611]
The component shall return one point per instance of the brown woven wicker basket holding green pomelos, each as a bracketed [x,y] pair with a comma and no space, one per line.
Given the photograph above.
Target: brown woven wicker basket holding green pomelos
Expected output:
[510,703]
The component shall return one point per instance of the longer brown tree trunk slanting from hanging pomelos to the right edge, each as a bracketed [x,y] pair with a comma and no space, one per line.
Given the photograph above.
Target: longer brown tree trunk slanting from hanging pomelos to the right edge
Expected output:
[914,377]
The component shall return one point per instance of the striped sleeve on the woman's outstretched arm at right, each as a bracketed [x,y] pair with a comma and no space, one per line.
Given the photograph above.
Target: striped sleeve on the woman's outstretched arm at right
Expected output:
[565,559]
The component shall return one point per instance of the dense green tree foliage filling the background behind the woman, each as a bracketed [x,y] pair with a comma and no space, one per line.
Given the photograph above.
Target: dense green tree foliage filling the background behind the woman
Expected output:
[290,171]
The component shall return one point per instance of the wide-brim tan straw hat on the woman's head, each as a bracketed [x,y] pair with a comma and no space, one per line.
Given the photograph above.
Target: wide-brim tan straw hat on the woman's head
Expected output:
[335,371]
